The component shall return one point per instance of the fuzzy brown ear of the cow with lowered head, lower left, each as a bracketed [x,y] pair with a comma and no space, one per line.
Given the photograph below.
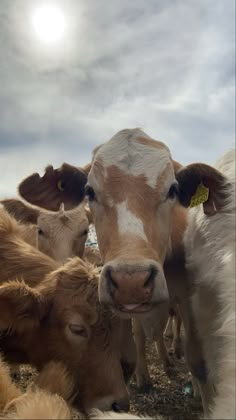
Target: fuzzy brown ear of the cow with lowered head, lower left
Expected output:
[21,307]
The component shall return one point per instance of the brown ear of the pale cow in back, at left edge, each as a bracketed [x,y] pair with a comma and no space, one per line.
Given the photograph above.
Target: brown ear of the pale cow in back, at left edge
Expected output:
[21,211]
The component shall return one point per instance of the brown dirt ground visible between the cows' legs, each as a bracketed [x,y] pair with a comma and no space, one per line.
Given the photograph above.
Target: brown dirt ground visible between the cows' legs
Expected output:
[169,396]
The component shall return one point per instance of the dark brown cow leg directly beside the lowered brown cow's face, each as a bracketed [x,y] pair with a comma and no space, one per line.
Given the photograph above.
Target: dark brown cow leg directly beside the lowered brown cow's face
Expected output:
[128,349]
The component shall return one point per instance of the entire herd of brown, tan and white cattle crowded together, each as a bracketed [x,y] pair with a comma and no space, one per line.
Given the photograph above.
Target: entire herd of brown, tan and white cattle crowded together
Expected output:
[166,236]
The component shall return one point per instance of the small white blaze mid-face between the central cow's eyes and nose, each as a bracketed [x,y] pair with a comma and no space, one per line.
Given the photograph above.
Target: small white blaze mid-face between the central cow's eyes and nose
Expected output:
[128,222]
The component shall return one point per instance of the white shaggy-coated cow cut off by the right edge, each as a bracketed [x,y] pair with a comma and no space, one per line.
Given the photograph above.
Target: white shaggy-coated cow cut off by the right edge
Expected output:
[210,259]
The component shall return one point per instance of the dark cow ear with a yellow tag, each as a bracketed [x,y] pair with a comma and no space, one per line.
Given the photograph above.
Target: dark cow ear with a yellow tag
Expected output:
[202,184]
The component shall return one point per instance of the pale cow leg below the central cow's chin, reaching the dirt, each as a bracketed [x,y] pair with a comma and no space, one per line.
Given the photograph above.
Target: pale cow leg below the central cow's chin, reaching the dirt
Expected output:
[142,376]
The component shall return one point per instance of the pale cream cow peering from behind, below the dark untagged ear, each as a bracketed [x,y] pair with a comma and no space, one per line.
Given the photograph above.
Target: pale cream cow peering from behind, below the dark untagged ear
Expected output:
[60,234]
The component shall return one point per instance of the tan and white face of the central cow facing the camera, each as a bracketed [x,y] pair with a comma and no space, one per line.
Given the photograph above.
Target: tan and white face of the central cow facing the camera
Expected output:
[132,190]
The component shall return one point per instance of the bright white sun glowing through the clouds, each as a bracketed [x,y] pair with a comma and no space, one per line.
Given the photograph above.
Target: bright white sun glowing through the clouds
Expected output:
[49,23]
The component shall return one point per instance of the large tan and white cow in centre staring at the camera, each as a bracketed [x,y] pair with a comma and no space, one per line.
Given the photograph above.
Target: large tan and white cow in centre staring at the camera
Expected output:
[132,189]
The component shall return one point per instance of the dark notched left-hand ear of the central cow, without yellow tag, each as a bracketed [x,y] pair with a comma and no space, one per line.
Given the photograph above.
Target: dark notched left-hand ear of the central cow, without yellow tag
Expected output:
[65,184]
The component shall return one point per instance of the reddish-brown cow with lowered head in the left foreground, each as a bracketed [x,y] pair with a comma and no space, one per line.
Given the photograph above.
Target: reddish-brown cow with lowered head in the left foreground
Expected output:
[61,320]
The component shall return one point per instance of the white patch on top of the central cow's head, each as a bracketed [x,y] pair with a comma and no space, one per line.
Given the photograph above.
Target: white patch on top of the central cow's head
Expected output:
[134,158]
